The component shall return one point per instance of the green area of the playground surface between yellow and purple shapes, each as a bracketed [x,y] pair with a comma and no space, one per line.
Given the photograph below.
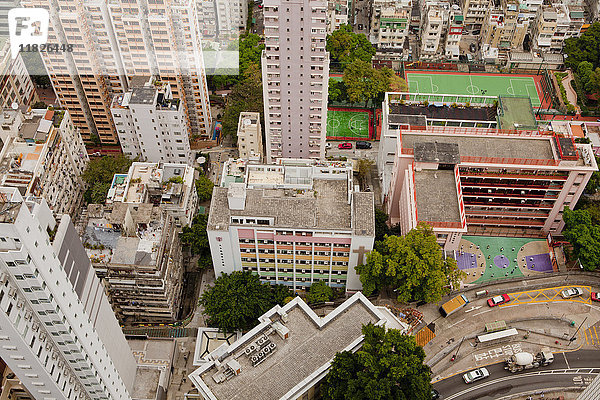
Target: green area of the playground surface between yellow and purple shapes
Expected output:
[495,244]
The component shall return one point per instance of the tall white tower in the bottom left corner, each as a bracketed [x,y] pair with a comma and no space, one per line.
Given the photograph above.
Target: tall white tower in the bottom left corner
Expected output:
[59,334]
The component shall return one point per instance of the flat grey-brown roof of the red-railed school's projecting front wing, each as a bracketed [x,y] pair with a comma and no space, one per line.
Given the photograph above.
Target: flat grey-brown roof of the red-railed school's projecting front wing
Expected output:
[436,196]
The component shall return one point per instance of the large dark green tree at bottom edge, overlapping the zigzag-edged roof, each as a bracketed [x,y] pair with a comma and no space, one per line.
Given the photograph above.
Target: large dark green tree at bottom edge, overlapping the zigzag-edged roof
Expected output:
[389,366]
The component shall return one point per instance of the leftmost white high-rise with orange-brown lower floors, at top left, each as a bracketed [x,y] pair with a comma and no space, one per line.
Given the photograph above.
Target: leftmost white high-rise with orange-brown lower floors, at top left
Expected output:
[84,80]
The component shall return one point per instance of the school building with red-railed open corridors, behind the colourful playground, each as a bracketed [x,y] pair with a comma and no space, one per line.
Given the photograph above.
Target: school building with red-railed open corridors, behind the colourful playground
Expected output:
[504,182]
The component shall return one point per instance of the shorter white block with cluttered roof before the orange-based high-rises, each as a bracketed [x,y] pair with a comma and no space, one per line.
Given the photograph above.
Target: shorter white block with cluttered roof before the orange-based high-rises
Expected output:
[151,124]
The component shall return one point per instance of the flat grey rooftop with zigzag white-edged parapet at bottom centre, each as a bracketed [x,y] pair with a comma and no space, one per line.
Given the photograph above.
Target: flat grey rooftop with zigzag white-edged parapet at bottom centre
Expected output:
[302,344]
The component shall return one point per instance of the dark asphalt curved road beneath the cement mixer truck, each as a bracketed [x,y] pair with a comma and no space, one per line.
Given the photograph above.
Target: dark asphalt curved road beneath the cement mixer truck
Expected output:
[568,369]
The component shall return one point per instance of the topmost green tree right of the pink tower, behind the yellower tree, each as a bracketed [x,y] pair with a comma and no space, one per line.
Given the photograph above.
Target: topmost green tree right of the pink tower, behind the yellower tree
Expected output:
[345,46]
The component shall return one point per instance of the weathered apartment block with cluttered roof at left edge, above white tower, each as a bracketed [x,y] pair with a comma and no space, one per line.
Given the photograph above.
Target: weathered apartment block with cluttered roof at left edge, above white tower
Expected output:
[45,156]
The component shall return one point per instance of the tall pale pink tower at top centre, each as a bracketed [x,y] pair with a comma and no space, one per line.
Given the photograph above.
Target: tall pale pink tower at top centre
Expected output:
[295,75]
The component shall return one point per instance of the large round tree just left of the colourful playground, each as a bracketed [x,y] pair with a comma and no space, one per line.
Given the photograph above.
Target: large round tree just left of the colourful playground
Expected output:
[412,265]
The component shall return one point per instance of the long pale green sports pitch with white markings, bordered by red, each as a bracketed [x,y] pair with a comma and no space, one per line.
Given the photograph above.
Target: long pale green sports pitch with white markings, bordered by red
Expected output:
[473,85]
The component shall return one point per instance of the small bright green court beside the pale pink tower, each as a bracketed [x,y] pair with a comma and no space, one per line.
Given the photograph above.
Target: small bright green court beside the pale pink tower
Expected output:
[349,124]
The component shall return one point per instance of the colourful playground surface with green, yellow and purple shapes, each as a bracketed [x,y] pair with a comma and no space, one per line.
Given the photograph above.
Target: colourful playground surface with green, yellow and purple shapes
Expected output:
[485,258]
